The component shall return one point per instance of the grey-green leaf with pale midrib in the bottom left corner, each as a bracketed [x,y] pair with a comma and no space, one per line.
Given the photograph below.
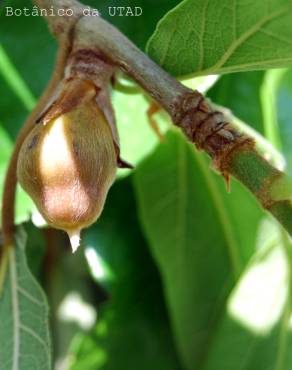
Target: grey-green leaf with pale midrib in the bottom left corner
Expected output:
[24,334]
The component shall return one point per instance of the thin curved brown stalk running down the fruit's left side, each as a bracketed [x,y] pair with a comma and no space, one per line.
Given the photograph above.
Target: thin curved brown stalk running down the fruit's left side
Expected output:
[10,183]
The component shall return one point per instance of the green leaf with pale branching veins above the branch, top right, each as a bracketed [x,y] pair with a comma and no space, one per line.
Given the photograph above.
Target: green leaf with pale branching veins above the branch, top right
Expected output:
[201,37]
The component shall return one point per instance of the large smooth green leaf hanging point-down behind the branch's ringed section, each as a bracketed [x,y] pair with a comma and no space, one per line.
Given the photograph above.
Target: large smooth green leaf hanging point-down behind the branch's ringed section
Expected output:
[198,238]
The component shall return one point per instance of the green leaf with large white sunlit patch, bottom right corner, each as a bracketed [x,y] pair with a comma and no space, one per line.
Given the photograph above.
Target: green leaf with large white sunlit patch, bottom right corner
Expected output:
[255,322]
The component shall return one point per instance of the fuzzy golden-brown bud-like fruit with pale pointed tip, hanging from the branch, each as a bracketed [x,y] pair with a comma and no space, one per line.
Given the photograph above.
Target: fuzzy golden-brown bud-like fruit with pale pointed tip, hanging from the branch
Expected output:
[68,161]
